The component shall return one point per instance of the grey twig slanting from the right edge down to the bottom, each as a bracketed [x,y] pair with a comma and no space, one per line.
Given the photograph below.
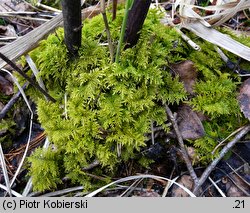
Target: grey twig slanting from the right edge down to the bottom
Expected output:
[209,169]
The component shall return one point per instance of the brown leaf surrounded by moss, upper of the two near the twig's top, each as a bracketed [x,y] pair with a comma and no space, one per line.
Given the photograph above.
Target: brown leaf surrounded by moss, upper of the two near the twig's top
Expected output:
[187,73]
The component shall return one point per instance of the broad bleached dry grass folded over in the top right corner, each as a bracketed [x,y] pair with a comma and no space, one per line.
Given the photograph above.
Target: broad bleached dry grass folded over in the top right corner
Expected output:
[201,26]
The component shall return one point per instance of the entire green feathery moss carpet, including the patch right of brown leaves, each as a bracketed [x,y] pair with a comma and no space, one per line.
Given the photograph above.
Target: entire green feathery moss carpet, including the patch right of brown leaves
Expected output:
[101,105]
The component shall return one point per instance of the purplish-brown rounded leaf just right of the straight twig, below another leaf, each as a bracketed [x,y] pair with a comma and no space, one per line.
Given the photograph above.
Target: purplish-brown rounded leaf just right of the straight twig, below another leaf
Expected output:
[189,123]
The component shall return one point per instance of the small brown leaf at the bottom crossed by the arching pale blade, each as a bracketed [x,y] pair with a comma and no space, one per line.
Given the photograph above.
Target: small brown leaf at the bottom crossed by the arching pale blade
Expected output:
[185,181]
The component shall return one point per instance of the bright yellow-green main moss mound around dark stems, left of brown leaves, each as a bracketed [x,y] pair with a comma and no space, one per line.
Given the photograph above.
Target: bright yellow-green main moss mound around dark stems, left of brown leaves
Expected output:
[107,105]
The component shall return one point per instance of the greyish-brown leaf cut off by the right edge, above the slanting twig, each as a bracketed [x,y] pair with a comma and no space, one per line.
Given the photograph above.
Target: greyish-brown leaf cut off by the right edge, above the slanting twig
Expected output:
[244,98]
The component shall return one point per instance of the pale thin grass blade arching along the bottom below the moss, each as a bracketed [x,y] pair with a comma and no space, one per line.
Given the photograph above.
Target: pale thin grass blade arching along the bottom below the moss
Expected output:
[92,194]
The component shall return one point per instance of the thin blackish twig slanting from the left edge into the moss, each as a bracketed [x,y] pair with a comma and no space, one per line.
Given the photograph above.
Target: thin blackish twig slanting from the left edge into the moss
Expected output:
[32,82]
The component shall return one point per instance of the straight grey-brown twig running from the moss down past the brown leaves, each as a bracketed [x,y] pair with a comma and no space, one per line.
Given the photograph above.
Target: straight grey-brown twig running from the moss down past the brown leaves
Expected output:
[182,146]
